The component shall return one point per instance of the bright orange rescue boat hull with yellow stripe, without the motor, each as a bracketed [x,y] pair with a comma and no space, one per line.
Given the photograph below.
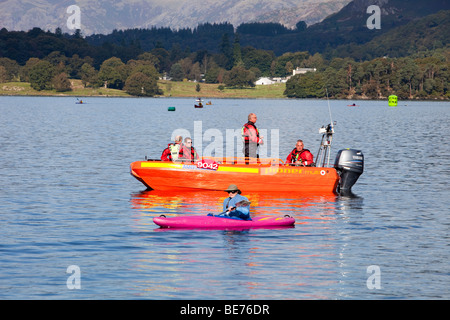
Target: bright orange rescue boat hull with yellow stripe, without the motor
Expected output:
[161,175]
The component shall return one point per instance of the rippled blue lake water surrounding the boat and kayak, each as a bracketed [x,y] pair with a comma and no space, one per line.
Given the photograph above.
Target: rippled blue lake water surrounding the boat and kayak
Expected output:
[67,199]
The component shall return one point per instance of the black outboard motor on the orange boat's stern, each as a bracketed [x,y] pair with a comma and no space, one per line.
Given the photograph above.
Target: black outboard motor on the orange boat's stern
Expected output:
[349,164]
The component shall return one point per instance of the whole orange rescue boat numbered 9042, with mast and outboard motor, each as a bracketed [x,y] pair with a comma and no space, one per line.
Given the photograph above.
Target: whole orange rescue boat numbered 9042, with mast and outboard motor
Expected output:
[256,175]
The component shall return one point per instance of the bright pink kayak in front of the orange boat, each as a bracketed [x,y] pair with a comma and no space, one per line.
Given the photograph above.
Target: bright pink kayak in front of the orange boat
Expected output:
[220,222]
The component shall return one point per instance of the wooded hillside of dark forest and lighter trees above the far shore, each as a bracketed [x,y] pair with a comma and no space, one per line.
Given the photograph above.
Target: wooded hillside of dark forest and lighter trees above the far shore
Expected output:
[410,60]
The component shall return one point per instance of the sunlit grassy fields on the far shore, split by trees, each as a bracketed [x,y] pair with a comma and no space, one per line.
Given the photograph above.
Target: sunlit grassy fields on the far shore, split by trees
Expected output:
[170,89]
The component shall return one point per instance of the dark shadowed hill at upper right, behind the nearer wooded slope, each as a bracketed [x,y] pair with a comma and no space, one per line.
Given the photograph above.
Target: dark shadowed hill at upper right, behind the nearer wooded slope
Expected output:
[349,26]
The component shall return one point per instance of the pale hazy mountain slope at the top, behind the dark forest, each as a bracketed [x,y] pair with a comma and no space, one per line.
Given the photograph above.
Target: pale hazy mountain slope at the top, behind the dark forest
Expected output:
[102,16]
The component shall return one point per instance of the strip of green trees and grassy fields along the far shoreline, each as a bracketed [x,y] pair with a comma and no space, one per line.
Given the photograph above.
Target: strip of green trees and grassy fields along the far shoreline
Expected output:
[426,76]
